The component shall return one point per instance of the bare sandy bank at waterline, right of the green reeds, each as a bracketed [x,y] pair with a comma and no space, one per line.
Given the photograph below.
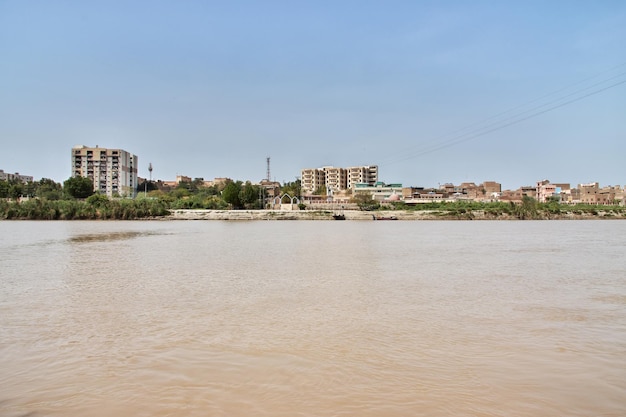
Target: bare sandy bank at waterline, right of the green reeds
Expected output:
[368,215]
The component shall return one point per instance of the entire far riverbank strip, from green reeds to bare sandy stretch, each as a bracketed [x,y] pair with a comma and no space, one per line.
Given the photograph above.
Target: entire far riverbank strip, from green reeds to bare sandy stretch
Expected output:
[147,209]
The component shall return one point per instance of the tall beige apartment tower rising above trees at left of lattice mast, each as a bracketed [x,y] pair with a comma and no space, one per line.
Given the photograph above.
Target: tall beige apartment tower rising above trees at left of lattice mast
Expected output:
[113,171]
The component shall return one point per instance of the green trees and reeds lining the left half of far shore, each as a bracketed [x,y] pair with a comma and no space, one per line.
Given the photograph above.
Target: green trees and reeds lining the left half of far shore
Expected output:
[76,199]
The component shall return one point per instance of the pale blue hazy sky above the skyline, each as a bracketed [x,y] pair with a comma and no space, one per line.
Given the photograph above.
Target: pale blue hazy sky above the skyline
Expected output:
[431,91]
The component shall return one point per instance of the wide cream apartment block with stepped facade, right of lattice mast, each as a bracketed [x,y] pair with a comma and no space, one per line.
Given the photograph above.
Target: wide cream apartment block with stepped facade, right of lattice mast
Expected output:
[337,179]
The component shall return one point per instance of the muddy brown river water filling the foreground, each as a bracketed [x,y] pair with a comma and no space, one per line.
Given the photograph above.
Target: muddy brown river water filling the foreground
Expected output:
[312,318]
